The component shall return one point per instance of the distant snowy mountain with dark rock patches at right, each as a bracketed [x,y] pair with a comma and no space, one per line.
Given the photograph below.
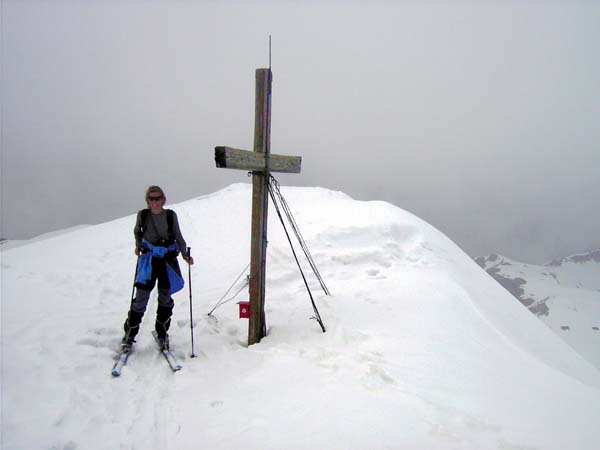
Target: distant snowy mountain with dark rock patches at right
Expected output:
[564,294]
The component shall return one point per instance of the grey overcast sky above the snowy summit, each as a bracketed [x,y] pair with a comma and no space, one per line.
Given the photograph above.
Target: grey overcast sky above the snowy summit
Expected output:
[480,117]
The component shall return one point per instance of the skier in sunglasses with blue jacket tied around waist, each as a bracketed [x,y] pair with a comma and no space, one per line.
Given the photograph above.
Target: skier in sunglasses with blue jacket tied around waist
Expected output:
[158,241]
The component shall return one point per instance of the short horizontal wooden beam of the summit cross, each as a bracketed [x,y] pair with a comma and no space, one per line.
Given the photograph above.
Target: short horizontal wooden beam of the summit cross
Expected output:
[234,158]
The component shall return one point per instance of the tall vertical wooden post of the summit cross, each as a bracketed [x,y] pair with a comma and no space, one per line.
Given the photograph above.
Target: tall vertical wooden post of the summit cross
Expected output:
[260,203]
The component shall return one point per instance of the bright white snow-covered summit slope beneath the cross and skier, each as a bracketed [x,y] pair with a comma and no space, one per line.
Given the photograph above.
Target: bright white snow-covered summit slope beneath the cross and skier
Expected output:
[423,350]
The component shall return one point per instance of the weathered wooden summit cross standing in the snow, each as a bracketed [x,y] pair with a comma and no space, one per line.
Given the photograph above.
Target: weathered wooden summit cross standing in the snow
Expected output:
[260,162]
